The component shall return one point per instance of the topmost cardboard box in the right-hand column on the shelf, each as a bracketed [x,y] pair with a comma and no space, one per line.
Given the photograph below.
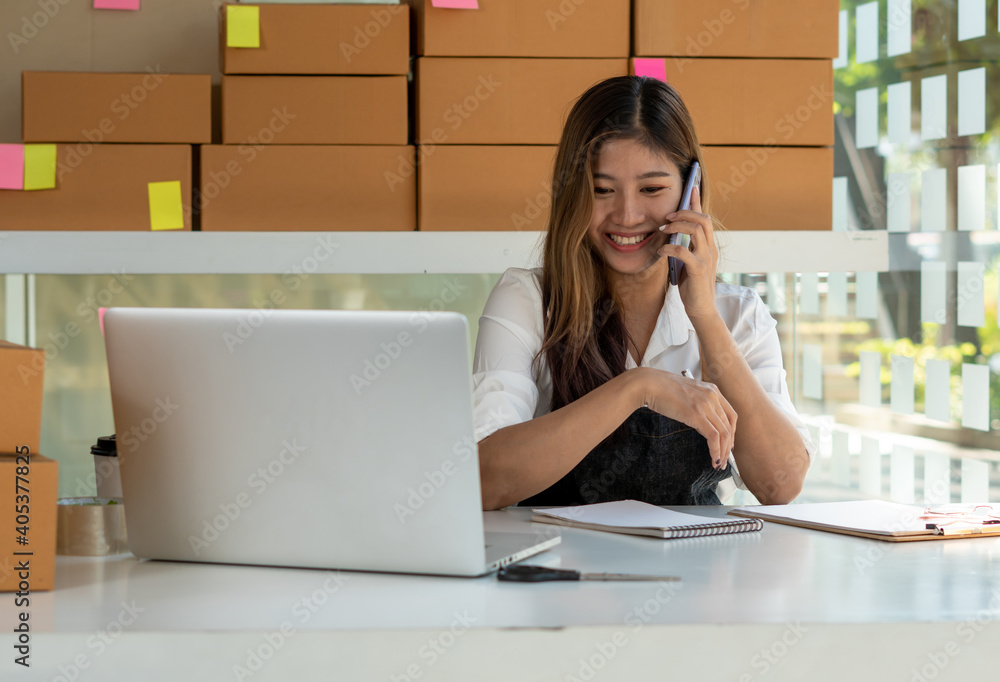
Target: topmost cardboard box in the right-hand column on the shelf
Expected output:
[736,28]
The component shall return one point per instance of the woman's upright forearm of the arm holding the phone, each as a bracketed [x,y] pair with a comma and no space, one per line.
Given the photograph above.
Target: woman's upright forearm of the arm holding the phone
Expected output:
[769,451]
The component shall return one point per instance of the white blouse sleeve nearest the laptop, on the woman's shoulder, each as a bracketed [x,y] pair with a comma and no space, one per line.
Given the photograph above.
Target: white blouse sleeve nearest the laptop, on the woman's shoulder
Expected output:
[504,386]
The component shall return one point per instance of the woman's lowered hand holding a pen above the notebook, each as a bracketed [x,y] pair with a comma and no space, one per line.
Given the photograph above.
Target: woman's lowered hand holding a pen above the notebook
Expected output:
[698,404]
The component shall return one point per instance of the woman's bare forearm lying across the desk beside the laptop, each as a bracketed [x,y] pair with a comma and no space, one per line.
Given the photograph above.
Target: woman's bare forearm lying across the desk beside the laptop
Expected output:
[524,459]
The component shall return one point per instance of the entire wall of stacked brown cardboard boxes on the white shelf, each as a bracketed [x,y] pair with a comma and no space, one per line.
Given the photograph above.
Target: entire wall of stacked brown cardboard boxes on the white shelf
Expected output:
[317,133]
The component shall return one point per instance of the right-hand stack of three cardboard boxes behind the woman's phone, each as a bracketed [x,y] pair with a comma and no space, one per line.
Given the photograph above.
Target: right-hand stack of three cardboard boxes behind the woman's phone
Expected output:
[758,80]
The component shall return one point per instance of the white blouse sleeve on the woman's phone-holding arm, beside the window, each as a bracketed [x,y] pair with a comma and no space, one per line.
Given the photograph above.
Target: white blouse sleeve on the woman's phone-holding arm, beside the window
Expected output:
[762,351]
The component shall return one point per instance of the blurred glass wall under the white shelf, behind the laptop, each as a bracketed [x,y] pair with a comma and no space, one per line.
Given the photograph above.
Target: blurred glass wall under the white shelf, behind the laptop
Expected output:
[77,403]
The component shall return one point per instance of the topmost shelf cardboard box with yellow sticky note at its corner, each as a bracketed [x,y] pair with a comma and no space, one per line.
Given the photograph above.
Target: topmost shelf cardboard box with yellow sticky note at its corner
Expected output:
[325,39]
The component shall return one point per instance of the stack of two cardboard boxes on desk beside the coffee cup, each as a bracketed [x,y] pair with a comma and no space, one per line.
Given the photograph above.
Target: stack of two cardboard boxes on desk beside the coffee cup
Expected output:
[28,480]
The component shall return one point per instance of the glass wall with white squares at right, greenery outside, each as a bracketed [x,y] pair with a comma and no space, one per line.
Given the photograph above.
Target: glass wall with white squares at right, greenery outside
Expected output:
[899,369]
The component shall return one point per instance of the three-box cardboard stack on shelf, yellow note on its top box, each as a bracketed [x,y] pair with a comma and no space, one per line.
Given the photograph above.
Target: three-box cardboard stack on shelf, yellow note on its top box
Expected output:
[315,124]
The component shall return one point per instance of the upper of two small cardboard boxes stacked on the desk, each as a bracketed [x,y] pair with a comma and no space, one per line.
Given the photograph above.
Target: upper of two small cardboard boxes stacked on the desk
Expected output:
[21,373]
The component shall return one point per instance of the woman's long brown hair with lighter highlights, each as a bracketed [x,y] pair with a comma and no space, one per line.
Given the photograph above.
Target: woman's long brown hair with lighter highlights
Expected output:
[586,340]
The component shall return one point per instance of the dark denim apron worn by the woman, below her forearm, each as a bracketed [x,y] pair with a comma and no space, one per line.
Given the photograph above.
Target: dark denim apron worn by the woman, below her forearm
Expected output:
[662,462]
